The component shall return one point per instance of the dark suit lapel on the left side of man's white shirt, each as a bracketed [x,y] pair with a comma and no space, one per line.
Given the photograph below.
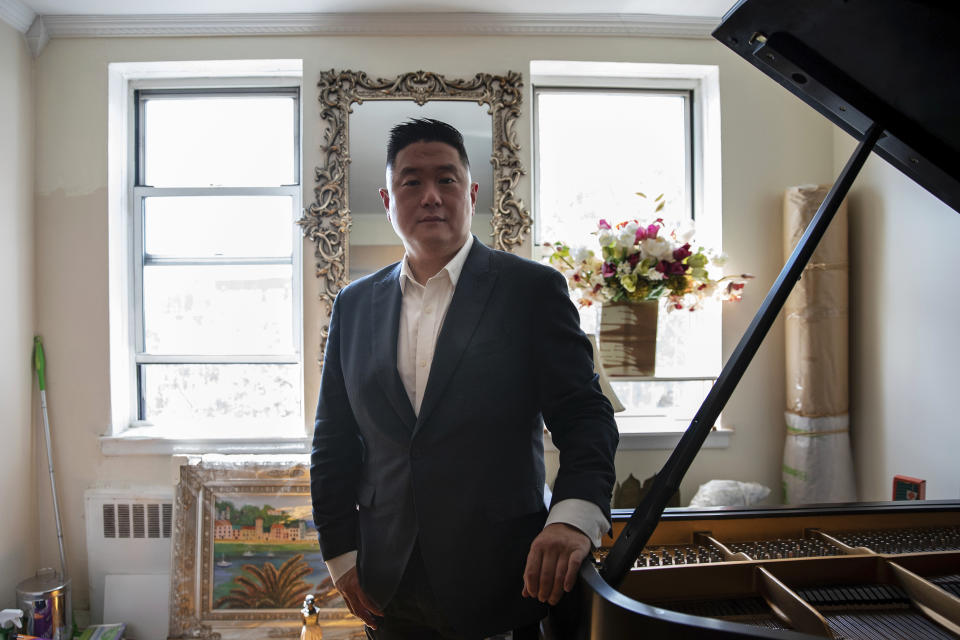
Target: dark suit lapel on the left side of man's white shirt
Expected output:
[385,325]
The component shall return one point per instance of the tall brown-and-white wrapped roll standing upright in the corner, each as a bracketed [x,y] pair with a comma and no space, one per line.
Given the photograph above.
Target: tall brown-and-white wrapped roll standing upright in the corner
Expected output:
[817,465]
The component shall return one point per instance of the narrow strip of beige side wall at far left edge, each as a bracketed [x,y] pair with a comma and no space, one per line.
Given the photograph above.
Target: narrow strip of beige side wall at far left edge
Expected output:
[17,476]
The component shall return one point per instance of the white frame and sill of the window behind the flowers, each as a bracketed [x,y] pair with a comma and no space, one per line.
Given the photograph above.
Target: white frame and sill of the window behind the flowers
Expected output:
[700,83]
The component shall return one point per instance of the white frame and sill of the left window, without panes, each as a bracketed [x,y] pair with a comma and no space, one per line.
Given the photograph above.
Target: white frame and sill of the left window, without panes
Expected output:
[129,84]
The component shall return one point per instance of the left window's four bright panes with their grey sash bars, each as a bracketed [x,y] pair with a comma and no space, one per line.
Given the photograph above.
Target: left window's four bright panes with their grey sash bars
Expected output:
[215,299]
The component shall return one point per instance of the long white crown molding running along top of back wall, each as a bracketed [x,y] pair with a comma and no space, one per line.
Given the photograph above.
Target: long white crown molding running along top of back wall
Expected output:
[250,24]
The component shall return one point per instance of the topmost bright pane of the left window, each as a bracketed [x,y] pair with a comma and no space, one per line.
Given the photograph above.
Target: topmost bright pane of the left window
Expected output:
[219,141]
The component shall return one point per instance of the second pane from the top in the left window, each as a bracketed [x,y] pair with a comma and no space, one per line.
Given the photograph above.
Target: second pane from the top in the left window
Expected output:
[209,226]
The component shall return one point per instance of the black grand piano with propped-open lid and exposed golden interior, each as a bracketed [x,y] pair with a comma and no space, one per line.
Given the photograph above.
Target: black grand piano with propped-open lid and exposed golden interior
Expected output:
[883,71]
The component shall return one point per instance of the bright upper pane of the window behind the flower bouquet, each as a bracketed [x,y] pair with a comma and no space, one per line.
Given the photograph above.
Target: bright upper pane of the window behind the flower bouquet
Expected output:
[621,143]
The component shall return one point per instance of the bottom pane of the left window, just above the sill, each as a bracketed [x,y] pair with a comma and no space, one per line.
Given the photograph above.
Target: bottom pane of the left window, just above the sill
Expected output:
[190,392]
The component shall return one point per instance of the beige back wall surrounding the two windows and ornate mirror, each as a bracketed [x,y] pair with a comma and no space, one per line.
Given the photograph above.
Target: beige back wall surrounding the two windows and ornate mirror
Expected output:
[770,141]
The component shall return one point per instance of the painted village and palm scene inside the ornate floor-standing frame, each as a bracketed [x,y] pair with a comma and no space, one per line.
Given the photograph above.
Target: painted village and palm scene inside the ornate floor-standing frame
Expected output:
[266,554]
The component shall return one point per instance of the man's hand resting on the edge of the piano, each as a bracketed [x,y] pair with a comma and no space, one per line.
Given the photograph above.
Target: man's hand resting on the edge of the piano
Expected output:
[553,562]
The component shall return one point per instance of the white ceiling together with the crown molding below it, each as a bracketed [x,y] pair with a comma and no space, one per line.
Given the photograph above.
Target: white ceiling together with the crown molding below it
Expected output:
[41,20]
